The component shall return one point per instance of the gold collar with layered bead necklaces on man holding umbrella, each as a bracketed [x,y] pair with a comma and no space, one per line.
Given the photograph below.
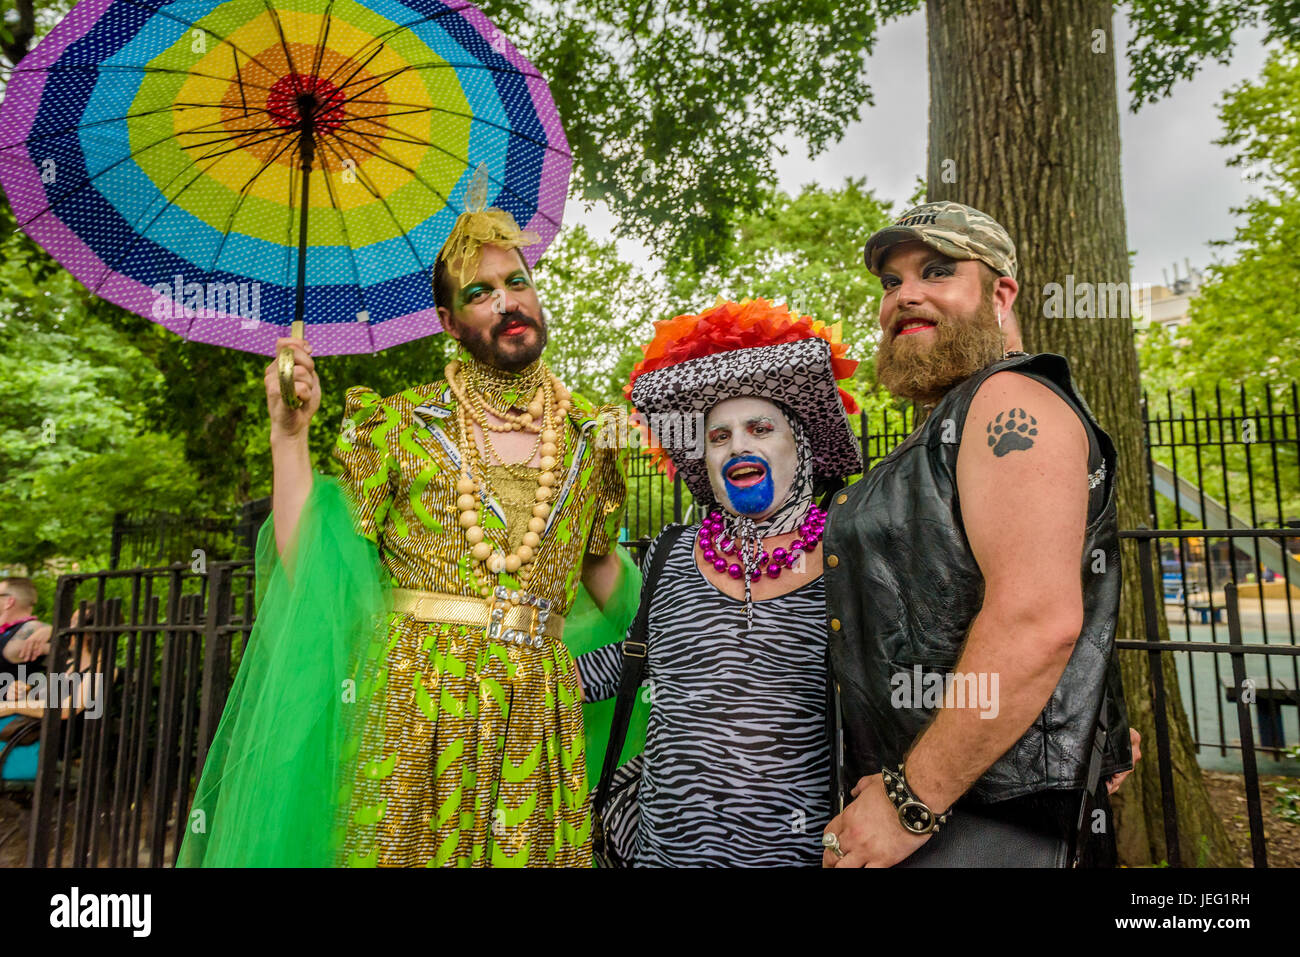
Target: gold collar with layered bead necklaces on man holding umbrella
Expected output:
[475,388]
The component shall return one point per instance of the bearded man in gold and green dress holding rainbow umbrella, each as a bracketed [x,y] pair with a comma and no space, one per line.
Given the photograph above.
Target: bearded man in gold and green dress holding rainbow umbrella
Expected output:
[491,504]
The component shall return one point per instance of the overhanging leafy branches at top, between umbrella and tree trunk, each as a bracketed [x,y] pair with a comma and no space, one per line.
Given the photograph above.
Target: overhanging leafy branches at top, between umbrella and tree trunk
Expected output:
[675,110]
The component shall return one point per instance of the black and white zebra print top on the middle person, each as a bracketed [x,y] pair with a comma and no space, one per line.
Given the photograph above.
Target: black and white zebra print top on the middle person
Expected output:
[738,763]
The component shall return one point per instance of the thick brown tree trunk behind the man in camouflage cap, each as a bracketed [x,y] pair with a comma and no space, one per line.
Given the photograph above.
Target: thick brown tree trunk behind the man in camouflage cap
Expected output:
[1025,125]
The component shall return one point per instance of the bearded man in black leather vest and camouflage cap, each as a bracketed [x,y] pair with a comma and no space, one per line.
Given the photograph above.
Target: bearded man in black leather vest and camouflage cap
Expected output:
[973,582]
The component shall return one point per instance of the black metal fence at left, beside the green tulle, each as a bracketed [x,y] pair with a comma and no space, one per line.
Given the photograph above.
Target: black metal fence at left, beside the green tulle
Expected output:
[150,657]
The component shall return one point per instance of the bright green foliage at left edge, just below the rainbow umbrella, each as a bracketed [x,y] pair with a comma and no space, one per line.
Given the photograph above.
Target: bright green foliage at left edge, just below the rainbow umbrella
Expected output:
[72,449]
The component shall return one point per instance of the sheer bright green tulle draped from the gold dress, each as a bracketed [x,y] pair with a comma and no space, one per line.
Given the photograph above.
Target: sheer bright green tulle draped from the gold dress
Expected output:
[278,781]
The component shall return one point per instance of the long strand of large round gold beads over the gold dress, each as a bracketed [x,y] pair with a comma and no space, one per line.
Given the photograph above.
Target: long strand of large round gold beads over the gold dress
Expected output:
[553,406]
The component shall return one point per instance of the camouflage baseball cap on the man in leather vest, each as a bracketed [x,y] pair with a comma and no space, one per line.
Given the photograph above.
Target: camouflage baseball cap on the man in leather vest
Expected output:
[954,229]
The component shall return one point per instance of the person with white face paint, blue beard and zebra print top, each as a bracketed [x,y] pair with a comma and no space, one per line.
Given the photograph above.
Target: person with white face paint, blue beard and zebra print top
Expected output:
[738,757]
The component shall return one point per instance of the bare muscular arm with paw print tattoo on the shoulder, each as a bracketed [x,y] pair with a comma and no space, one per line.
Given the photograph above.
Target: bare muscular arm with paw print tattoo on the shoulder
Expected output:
[1025,513]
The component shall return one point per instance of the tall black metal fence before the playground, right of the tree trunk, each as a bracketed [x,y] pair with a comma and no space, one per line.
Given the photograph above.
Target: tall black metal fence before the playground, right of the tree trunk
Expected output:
[1225,488]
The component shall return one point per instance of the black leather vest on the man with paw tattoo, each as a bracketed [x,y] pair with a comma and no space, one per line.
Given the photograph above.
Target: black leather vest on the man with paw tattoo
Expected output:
[905,588]
